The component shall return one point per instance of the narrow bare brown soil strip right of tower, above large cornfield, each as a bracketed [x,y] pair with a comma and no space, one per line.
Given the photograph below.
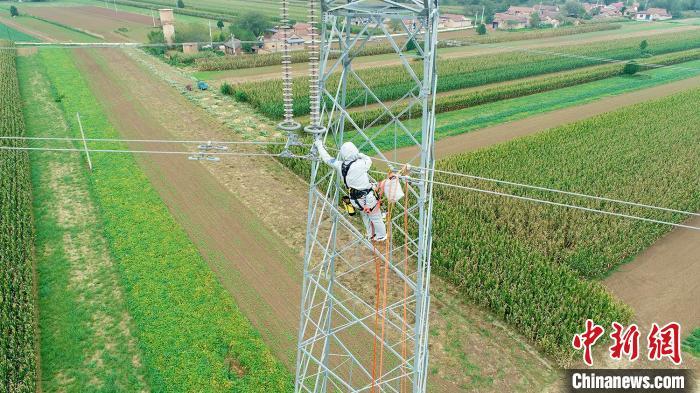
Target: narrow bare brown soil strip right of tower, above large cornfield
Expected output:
[505,132]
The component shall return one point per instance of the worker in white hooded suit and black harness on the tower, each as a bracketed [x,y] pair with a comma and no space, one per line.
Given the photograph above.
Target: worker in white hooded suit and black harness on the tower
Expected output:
[353,168]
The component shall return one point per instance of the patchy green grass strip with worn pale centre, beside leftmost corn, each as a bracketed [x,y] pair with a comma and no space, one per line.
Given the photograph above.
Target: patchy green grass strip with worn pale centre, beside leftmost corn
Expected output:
[78,281]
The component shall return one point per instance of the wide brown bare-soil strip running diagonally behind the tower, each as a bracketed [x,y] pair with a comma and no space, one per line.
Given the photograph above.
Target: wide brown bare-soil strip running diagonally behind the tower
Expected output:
[241,211]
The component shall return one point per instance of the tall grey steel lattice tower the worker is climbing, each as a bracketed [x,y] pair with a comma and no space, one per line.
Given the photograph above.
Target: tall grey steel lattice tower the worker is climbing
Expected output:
[365,306]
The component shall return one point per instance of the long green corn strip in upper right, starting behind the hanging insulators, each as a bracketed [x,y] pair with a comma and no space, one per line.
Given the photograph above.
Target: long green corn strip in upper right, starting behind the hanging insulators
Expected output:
[390,83]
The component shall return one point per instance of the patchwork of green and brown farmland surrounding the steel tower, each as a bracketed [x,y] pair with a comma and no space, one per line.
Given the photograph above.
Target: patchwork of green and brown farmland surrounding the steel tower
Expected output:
[154,272]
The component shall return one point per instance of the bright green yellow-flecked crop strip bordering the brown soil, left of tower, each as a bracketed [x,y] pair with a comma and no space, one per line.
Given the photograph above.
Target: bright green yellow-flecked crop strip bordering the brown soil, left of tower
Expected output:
[190,332]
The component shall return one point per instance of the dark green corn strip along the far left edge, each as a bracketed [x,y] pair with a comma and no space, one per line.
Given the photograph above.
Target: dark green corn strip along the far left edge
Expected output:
[17,315]
